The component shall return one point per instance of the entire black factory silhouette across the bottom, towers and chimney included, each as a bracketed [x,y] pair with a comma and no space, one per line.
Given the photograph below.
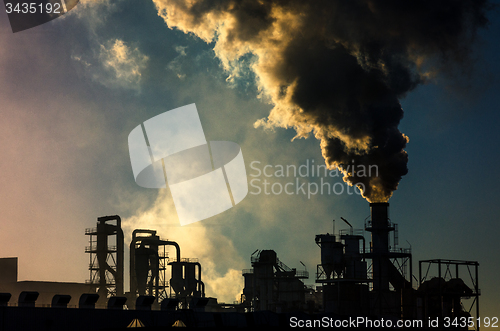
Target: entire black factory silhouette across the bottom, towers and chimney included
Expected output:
[358,277]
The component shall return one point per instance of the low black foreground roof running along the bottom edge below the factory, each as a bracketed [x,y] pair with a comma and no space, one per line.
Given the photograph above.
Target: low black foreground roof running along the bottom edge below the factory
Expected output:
[84,319]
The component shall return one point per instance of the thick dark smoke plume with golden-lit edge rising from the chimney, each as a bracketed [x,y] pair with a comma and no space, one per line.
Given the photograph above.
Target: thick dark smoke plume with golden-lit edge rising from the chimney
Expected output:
[336,69]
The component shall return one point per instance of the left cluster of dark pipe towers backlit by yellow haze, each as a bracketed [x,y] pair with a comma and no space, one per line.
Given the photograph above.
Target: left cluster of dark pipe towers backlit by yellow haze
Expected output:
[148,267]
